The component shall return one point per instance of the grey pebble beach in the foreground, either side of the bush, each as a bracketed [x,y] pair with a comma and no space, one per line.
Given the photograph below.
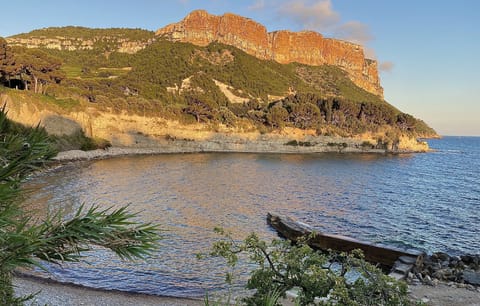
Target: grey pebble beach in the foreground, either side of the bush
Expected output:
[55,293]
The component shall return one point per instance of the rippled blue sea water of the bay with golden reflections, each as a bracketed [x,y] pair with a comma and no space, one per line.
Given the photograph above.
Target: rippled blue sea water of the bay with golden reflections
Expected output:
[424,201]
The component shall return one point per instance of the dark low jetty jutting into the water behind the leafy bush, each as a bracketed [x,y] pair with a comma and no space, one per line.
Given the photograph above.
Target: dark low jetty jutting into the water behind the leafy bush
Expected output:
[399,260]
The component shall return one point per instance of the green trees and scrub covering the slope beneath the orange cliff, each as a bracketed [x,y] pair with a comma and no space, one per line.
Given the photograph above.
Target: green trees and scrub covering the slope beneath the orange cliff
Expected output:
[177,81]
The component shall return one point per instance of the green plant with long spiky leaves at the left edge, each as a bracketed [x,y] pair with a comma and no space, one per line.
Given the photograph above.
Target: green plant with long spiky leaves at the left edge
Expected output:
[24,243]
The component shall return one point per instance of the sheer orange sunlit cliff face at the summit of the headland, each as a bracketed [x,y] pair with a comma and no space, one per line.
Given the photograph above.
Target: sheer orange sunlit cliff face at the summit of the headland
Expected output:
[306,47]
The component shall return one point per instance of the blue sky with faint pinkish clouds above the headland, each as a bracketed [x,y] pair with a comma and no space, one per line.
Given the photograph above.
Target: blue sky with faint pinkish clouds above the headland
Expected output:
[428,50]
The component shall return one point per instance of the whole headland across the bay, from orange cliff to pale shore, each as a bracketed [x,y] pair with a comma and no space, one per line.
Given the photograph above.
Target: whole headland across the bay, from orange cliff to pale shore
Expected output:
[330,101]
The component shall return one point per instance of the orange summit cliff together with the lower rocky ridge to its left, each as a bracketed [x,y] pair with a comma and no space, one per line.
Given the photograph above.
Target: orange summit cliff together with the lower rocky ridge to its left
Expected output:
[201,28]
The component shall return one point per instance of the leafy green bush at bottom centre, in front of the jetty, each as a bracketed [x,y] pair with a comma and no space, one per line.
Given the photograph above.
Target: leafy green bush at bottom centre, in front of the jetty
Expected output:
[282,266]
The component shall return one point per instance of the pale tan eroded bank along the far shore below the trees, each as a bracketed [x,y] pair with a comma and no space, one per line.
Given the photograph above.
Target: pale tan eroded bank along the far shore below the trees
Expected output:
[135,134]
